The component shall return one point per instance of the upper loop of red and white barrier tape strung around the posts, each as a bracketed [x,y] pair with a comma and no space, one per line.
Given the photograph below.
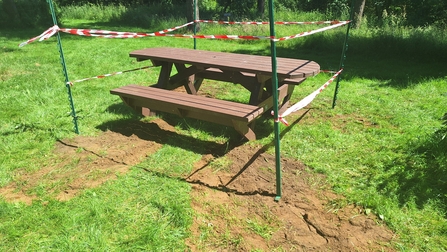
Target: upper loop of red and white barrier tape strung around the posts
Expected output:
[164,33]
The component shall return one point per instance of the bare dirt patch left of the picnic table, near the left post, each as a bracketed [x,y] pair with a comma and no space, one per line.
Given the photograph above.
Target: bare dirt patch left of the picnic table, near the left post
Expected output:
[81,163]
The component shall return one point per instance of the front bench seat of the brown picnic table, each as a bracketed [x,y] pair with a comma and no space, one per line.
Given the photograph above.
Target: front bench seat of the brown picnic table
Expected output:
[237,115]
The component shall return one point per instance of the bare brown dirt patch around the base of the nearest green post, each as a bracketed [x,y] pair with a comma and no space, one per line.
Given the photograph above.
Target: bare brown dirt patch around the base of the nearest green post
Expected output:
[237,206]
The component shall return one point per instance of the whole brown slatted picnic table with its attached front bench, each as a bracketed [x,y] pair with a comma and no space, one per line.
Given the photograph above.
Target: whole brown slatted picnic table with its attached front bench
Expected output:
[252,72]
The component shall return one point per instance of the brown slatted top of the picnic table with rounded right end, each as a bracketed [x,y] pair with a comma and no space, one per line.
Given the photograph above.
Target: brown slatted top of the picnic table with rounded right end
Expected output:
[262,65]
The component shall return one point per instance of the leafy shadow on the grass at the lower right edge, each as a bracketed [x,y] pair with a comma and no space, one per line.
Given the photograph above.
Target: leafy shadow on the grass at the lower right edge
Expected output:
[422,176]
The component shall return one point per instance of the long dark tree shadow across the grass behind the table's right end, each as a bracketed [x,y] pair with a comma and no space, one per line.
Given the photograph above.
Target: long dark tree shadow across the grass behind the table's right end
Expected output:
[399,63]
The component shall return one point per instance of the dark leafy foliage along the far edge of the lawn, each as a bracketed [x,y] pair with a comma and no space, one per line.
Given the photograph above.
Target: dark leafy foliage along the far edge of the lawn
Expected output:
[22,13]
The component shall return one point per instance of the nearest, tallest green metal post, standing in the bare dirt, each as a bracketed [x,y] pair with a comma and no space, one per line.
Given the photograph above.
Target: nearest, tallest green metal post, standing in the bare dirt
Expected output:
[275,103]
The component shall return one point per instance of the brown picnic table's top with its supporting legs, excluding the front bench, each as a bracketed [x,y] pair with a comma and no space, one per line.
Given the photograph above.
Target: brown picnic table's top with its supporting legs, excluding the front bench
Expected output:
[253,72]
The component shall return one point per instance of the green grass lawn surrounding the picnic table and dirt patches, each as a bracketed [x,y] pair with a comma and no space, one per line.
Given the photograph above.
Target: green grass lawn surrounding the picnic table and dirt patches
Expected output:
[379,147]
